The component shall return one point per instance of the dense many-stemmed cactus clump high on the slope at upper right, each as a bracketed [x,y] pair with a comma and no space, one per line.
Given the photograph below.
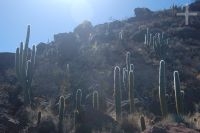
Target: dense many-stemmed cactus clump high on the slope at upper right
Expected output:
[157,43]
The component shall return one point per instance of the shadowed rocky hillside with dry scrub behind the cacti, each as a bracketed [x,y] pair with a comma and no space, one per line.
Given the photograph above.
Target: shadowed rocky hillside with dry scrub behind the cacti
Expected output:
[85,59]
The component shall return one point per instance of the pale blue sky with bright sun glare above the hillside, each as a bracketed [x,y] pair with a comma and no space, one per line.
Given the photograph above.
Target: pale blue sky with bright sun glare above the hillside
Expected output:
[49,17]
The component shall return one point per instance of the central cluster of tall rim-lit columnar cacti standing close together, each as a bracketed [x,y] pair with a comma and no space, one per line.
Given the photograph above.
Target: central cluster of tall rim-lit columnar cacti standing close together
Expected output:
[128,82]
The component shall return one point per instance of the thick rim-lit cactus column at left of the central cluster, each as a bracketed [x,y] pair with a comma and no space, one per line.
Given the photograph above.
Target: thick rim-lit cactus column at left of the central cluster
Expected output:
[117,92]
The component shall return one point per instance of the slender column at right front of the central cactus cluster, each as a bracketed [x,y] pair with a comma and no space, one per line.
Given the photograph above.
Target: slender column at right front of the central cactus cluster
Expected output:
[131,90]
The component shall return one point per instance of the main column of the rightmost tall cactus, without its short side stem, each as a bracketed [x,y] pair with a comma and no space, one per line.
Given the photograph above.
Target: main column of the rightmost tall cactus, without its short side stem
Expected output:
[178,99]
